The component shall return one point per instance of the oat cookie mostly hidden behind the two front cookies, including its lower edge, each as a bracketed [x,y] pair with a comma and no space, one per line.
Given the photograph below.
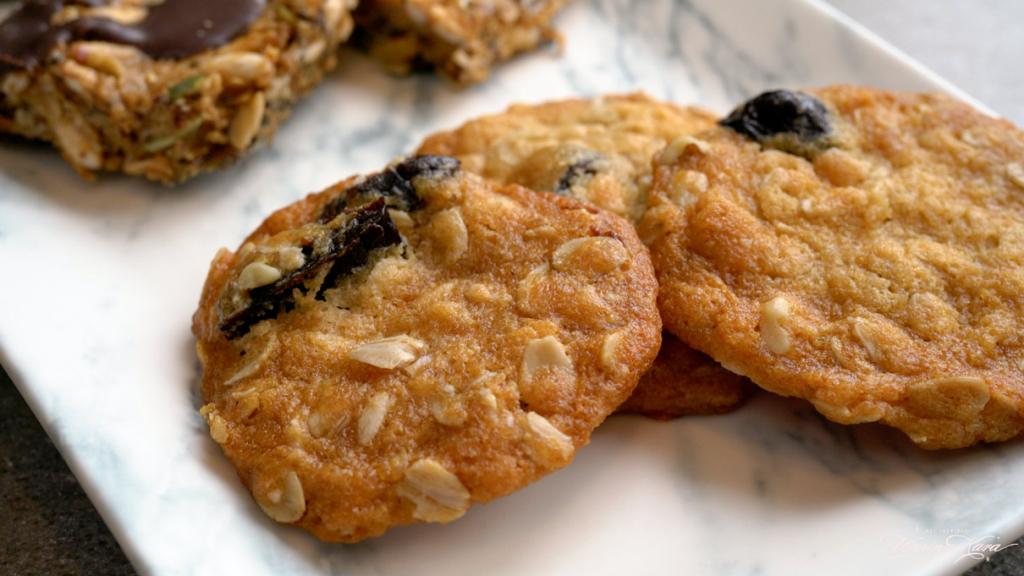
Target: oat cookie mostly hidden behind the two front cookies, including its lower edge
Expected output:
[601,150]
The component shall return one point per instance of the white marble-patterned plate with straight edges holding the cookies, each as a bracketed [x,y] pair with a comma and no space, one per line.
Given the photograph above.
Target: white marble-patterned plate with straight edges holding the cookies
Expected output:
[100,282]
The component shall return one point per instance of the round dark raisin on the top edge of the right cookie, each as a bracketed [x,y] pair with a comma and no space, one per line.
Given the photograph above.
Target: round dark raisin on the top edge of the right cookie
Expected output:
[785,119]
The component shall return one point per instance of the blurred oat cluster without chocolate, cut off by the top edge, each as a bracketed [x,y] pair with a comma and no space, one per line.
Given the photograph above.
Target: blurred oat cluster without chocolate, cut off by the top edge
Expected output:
[461,39]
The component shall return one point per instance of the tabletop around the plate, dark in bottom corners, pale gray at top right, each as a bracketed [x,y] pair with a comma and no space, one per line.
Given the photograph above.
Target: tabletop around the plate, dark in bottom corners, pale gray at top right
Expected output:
[57,531]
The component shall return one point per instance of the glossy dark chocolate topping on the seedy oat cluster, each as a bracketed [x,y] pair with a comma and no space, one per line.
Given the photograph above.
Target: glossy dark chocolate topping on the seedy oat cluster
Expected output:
[173,29]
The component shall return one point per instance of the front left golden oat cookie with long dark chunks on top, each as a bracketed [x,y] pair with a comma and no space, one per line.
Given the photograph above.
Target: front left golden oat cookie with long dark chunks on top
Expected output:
[400,347]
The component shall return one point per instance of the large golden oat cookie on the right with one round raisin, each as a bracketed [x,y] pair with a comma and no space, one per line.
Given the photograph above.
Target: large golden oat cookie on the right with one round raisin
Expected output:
[861,250]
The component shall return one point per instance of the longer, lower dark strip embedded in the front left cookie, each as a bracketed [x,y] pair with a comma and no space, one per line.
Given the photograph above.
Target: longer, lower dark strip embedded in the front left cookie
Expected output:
[366,230]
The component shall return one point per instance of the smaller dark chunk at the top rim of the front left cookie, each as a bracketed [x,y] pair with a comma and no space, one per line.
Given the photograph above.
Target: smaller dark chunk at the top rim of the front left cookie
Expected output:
[395,185]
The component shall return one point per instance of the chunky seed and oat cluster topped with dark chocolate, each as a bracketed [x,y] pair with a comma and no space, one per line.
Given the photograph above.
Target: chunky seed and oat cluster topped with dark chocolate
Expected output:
[164,91]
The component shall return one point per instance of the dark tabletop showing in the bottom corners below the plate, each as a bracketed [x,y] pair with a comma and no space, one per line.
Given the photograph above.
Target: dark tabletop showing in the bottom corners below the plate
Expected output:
[51,528]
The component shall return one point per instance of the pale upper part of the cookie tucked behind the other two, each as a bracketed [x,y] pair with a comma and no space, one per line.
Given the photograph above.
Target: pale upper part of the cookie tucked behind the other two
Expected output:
[599,150]
